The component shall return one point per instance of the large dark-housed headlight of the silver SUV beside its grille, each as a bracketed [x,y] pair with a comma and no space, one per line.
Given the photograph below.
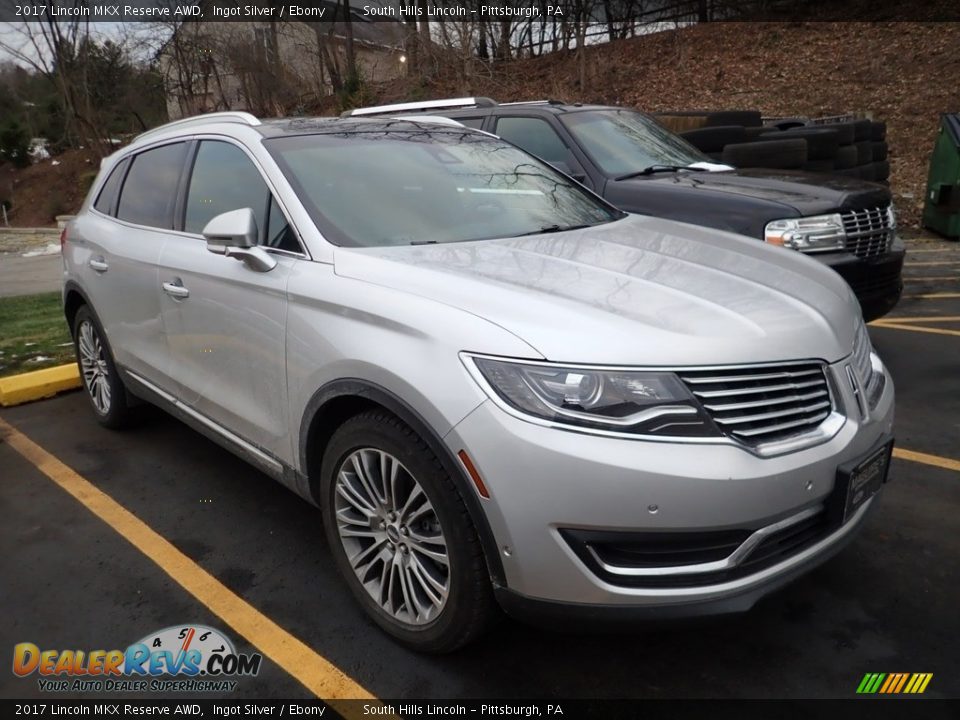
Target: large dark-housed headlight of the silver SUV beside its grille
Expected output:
[636,403]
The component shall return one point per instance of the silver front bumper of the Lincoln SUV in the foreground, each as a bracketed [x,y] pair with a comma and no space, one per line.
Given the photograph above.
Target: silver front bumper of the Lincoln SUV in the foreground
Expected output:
[545,482]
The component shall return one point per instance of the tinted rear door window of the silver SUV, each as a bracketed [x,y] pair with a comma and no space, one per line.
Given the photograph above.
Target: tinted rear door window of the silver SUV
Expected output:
[149,192]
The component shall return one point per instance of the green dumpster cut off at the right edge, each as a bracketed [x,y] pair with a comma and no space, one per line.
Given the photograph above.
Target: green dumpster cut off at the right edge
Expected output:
[941,212]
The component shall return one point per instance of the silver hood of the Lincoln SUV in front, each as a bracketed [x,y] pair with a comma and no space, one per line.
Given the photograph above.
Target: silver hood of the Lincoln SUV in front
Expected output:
[638,291]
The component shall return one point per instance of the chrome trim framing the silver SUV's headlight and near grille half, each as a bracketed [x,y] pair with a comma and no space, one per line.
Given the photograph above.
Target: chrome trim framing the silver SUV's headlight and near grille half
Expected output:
[824,432]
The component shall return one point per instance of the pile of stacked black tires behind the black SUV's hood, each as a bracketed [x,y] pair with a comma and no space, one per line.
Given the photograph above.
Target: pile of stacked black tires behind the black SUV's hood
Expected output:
[856,149]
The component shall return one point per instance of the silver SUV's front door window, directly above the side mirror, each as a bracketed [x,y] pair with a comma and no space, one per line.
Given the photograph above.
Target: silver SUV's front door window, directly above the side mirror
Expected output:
[224,179]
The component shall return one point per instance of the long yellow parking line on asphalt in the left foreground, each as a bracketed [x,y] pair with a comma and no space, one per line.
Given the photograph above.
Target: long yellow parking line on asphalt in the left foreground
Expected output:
[317,674]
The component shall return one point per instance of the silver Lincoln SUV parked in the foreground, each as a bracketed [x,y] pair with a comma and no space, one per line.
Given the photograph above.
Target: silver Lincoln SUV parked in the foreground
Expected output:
[498,389]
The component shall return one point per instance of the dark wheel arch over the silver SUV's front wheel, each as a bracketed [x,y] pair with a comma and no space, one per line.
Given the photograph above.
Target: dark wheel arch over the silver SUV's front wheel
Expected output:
[340,400]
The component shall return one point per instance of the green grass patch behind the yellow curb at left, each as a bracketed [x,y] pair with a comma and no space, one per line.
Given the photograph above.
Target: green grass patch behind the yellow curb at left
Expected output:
[33,333]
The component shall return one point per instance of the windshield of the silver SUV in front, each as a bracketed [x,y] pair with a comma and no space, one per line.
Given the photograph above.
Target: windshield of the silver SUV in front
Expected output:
[376,188]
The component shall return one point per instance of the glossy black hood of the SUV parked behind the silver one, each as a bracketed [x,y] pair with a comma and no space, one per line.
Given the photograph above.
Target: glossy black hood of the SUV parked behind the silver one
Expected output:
[803,193]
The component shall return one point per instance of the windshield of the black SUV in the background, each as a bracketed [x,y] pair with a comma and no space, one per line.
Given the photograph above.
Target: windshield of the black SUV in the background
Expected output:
[623,141]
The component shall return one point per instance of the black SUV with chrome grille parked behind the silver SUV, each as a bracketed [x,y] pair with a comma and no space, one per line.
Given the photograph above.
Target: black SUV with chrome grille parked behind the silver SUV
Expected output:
[635,163]
